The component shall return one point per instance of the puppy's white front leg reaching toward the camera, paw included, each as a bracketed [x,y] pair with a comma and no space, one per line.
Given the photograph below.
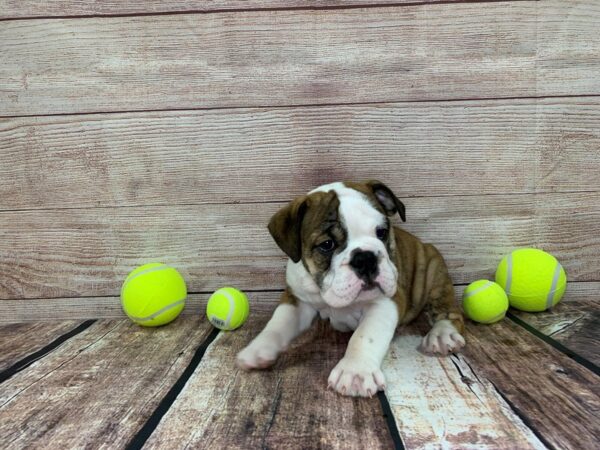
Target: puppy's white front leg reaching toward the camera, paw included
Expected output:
[359,371]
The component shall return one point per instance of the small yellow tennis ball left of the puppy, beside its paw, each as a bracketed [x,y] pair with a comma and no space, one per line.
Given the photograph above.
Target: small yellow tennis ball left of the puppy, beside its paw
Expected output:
[228,308]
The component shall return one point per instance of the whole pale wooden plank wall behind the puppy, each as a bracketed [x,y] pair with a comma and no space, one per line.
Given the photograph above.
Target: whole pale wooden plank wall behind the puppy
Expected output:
[133,132]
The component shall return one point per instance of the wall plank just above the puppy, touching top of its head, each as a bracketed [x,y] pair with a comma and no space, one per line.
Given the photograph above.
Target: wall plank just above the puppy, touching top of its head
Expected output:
[255,155]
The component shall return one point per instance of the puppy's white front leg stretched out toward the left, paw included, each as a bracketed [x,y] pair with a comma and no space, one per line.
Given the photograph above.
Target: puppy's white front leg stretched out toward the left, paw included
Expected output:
[288,321]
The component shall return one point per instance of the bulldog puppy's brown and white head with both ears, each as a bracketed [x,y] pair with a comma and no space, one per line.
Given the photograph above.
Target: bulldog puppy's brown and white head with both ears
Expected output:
[341,234]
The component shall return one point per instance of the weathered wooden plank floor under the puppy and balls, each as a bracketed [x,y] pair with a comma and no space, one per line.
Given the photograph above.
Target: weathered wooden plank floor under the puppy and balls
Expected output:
[113,384]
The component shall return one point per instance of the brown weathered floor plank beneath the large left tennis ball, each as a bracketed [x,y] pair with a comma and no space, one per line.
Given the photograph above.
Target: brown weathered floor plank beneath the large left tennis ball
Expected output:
[99,387]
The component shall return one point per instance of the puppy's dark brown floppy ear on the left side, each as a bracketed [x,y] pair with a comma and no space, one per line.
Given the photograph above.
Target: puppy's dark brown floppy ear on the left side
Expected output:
[285,227]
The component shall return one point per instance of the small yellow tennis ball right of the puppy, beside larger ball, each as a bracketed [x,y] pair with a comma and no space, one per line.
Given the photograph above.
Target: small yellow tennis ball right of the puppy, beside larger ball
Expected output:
[485,301]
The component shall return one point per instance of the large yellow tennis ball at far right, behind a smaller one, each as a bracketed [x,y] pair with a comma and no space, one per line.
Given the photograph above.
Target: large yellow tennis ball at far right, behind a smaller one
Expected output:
[533,279]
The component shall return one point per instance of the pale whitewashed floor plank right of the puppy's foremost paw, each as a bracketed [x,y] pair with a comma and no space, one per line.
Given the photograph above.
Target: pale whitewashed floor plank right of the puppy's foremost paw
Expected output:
[442,403]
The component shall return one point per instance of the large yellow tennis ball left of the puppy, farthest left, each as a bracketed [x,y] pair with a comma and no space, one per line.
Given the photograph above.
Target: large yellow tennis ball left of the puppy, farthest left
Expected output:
[153,294]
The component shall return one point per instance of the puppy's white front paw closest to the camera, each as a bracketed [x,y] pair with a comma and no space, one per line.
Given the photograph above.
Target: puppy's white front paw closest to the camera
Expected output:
[356,378]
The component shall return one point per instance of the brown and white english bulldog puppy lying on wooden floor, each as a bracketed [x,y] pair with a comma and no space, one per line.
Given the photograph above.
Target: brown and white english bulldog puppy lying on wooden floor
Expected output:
[348,264]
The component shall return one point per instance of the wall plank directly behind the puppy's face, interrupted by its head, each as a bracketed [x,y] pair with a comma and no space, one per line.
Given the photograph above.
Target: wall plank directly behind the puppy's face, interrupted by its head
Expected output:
[88,252]
